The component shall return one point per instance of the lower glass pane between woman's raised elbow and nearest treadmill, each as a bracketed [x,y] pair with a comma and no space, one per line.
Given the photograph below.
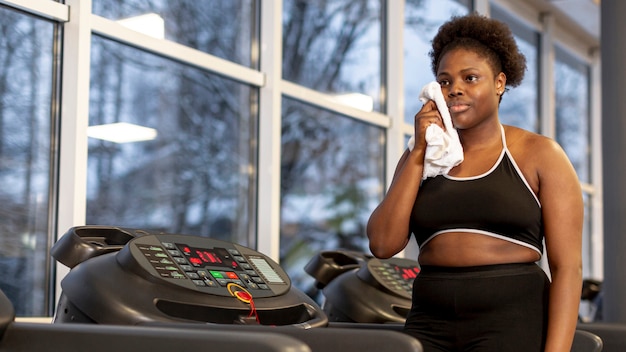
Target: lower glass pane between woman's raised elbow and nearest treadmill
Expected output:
[332,178]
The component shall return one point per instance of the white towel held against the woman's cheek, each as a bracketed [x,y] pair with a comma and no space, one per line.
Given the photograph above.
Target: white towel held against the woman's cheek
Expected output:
[443,150]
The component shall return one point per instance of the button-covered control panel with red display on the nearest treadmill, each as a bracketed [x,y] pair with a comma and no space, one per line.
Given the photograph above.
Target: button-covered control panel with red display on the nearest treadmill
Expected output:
[205,265]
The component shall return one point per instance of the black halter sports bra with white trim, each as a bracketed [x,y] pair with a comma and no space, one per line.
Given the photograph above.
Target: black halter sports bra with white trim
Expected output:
[498,203]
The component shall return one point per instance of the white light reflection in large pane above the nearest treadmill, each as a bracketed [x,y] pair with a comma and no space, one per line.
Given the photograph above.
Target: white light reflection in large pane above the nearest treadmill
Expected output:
[121,132]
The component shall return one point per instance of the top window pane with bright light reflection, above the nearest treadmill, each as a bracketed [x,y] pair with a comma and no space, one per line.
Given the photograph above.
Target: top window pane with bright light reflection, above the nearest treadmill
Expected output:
[224,28]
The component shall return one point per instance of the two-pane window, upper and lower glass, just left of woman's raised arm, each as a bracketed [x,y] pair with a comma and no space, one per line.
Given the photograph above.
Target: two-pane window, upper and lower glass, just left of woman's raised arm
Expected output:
[331,165]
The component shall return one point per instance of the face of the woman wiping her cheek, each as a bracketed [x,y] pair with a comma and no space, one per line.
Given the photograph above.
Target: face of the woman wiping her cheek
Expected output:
[470,87]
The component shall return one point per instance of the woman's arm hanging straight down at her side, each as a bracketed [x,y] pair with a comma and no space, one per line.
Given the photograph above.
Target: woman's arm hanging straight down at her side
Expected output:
[562,206]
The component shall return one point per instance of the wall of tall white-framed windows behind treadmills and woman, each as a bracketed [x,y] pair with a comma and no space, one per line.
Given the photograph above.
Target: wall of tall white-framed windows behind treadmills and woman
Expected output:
[209,94]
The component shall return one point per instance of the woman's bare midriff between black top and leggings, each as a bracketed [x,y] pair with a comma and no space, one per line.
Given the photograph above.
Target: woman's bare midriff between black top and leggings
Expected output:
[470,249]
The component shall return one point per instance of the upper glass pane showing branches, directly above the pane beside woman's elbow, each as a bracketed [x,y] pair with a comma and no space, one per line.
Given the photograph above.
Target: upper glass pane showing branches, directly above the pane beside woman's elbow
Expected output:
[334,47]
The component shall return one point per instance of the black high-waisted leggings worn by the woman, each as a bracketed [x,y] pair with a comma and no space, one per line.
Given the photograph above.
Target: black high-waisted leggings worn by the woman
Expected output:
[486,308]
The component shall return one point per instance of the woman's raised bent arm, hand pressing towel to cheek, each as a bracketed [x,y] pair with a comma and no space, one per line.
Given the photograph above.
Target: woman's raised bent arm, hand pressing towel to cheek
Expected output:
[388,226]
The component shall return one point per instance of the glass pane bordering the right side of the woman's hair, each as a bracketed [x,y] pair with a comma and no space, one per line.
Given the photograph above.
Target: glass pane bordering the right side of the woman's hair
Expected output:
[520,105]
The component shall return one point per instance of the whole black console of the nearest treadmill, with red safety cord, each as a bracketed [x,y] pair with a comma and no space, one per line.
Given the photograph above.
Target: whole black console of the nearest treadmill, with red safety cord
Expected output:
[132,277]
